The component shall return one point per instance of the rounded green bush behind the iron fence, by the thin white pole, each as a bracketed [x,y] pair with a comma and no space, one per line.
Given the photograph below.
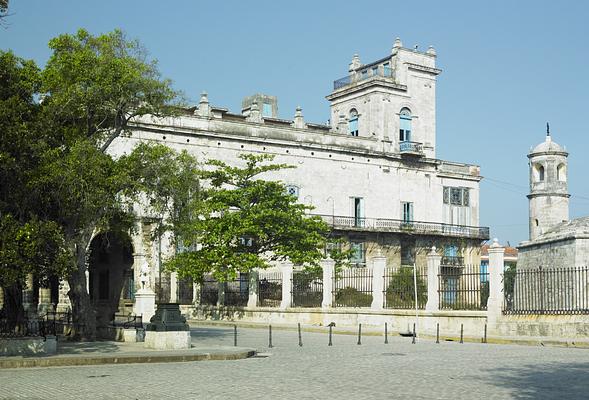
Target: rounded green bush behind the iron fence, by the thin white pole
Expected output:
[401,290]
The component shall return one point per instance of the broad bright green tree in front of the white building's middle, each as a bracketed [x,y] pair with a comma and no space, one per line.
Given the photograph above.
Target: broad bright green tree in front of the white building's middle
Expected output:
[247,222]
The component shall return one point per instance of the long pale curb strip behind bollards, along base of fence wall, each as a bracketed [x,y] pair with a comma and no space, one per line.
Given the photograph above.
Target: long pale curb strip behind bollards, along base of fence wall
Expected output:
[581,343]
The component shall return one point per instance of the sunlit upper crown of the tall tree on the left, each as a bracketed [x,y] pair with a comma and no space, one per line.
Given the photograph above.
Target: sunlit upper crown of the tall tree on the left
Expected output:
[98,84]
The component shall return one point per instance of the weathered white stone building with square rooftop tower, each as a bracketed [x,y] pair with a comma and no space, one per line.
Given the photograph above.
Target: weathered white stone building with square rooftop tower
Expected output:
[372,173]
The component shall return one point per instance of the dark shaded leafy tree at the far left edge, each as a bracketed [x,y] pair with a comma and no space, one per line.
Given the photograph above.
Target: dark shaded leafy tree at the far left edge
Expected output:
[30,244]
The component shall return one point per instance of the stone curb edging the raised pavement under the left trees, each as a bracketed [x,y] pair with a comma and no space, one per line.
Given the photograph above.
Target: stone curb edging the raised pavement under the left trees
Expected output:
[123,359]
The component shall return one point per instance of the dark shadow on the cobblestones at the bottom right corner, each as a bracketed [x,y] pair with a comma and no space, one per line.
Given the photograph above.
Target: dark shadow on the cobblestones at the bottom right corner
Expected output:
[543,381]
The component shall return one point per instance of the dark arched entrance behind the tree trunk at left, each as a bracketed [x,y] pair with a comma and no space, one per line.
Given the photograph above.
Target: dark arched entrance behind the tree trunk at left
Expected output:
[111,284]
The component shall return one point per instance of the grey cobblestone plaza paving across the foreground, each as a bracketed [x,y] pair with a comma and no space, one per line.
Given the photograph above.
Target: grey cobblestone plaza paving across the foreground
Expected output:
[372,370]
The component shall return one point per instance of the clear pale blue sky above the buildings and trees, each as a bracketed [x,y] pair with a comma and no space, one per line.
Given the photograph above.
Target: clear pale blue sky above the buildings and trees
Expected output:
[508,68]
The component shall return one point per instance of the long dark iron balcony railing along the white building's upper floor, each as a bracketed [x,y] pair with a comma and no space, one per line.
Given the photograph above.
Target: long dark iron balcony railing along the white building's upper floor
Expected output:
[401,226]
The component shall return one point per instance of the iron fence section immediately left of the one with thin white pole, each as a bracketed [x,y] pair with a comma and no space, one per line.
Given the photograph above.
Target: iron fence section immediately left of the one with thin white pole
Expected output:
[352,287]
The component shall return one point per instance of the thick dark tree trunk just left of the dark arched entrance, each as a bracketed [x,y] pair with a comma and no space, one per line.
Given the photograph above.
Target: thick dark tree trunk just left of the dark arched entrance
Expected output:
[83,313]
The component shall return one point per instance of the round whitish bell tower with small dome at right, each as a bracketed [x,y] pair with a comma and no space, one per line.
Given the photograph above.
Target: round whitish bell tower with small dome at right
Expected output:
[549,197]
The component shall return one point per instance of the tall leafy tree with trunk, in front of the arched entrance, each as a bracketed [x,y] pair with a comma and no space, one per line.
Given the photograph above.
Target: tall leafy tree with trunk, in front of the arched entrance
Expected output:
[92,88]
